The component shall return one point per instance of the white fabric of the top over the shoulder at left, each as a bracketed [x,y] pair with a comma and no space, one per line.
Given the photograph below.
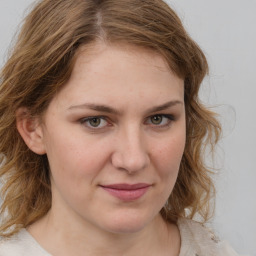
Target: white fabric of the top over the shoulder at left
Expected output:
[20,244]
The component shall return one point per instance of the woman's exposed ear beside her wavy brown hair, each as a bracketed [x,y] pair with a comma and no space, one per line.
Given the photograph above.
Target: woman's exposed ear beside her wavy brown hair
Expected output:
[30,130]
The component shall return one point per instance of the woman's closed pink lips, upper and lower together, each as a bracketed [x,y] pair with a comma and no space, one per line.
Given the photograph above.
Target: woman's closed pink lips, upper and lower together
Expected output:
[127,192]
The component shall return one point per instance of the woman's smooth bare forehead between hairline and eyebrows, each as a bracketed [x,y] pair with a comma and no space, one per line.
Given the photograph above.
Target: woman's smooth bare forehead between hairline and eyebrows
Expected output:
[114,73]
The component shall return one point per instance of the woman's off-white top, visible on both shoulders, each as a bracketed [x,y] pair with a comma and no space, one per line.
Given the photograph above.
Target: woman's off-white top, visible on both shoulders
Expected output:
[196,240]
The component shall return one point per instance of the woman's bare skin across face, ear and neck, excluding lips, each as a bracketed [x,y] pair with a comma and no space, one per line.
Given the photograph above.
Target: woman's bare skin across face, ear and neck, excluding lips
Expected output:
[130,141]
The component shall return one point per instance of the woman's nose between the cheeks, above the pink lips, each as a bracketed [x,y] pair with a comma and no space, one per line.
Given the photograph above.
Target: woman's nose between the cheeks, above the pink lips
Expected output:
[130,152]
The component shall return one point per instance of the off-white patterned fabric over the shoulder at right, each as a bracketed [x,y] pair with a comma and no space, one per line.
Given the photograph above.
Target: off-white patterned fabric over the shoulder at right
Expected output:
[198,240]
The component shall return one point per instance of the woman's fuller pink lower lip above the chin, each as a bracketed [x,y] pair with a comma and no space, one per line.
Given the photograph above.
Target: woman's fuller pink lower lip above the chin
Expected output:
[127,195]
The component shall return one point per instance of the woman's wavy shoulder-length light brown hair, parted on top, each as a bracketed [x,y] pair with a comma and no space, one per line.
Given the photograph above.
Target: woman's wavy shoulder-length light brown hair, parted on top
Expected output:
[41,63]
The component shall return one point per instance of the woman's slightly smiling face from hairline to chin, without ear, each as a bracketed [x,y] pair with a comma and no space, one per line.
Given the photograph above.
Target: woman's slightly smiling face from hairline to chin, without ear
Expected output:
[114,137]
